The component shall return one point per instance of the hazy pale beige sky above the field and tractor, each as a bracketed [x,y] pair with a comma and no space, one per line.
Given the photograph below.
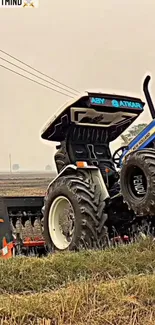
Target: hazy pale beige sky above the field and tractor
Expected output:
[86,44]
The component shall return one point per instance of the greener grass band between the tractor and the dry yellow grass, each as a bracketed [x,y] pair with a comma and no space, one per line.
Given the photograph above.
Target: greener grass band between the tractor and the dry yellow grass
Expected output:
[37,275]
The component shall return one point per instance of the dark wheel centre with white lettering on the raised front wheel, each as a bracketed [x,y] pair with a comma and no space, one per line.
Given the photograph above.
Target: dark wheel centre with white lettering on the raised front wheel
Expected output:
[137,182]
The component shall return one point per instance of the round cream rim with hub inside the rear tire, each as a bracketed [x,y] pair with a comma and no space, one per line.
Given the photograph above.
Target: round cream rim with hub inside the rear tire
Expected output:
[61,222]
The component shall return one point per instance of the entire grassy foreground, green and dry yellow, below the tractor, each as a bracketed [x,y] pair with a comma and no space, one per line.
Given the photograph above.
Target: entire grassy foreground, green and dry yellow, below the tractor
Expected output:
[112,287]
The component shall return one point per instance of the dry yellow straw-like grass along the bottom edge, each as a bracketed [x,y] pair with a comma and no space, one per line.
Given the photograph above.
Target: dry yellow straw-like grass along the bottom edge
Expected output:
[123,302]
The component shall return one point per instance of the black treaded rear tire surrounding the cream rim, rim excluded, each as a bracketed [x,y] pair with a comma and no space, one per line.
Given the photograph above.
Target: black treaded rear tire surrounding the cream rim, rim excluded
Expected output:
[89,231]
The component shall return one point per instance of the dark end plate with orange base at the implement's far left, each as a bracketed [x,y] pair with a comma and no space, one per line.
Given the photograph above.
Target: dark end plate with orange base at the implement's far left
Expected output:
[6,238]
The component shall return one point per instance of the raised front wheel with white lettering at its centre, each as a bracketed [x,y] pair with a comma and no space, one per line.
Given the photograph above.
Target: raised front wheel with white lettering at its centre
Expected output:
[137,181]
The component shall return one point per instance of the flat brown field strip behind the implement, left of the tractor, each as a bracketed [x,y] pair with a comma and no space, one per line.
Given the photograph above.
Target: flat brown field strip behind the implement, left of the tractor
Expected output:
[24,184]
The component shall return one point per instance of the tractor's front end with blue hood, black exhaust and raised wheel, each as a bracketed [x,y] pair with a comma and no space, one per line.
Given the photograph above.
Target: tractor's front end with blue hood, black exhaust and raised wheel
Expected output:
[137,163]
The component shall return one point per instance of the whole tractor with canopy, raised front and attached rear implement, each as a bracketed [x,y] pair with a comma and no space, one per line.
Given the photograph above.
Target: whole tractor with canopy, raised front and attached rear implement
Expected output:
[97,199]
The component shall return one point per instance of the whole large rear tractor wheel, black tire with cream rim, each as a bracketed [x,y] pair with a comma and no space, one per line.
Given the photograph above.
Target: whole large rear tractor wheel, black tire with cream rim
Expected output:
[74,215]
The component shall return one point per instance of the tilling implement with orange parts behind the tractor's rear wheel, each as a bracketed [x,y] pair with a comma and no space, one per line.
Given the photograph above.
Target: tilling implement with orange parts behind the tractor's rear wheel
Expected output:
[21,231]
